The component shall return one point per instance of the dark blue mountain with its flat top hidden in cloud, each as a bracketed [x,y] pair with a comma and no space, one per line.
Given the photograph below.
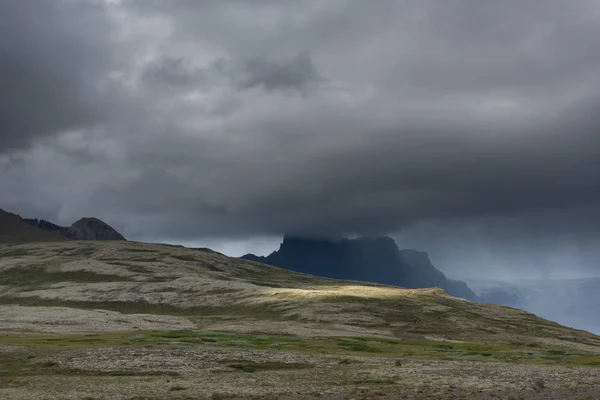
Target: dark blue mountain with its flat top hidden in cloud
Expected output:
[370,259]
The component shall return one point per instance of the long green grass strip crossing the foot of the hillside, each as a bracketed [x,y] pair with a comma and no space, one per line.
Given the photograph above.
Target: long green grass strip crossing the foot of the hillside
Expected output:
[344,347]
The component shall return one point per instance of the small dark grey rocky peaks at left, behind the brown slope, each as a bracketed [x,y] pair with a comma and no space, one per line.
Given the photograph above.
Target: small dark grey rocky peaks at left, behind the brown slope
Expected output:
[84,229]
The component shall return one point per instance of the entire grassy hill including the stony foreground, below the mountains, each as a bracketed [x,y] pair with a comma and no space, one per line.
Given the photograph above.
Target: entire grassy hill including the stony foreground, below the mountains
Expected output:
[180,320]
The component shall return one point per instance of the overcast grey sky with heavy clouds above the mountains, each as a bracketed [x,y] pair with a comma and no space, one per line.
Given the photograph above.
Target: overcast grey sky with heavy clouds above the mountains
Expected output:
[467,129]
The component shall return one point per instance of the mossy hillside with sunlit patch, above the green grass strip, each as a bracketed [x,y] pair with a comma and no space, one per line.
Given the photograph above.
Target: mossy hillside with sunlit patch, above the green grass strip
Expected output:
[230,294]
